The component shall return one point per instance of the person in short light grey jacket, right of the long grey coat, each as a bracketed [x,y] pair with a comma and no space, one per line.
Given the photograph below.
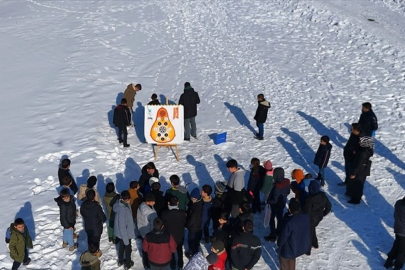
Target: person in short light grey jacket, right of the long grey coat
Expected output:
[145,217]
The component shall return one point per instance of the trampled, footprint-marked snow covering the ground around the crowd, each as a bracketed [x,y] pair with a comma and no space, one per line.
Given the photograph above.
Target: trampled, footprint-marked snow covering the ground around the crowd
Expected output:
[64,64]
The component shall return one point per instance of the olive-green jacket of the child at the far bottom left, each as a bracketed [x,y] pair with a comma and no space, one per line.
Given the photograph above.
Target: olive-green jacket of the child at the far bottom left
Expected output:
[18,242]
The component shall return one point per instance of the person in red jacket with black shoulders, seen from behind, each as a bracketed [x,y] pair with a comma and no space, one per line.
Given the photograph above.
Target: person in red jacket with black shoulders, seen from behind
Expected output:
[159,245]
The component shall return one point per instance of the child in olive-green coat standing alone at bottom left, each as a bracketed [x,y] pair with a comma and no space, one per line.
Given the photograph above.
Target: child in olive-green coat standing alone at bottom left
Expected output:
[20,241]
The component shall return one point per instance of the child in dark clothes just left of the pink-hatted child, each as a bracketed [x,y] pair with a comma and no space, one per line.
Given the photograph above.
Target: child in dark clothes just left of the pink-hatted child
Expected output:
[255,183]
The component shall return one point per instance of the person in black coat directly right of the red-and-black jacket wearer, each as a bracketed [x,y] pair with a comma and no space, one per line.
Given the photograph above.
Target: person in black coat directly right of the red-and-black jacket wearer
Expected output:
[174,220]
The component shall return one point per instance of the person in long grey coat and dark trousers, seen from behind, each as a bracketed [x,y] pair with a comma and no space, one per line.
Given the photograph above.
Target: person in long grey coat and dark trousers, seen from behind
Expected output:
[124,229]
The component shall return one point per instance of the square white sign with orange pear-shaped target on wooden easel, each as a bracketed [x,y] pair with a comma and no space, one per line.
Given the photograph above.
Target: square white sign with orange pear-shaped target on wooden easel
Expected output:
[164,124]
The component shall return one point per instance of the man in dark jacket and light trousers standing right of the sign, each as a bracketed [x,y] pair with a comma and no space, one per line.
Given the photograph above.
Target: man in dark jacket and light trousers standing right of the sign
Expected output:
[189,99]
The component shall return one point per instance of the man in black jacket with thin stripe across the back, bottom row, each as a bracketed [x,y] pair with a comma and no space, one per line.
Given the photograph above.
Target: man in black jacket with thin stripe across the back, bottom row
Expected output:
[246,248]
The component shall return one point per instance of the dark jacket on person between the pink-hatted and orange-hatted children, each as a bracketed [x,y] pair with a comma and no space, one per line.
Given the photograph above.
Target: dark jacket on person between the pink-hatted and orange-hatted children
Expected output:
[280,191]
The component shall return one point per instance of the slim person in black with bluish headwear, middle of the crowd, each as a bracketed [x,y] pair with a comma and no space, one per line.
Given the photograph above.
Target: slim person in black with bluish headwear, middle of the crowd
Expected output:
[194,222]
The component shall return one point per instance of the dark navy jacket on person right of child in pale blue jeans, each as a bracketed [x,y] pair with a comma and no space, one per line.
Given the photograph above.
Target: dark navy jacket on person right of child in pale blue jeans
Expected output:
[93,217]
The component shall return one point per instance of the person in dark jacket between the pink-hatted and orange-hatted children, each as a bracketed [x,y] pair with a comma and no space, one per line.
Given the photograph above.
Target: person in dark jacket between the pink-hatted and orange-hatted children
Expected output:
[277,200]
